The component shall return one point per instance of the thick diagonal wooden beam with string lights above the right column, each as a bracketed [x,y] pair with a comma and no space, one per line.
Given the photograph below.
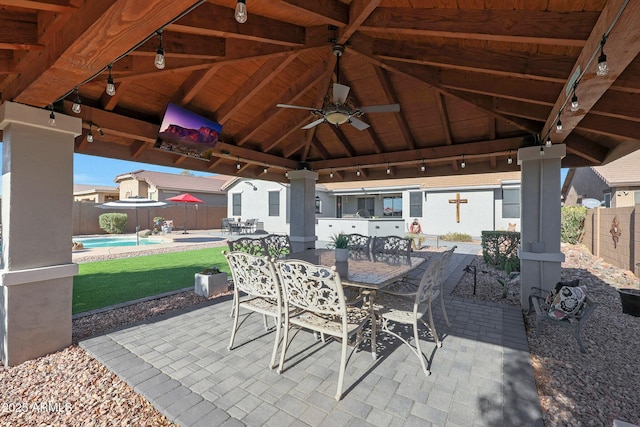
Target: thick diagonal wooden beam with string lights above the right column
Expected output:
[622,47]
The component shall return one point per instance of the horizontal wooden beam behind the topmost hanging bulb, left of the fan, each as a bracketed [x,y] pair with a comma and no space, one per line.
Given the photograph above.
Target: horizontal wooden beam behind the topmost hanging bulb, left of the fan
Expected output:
[263,30]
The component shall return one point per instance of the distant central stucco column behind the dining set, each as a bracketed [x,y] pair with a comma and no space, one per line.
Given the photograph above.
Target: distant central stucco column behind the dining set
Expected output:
[303,213]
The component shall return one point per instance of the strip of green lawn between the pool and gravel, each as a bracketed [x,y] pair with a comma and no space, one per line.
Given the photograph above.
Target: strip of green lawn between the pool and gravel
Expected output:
[105,283]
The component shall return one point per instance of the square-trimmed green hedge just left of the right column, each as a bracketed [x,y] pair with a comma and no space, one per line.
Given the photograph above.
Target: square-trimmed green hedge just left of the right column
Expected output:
[500,249]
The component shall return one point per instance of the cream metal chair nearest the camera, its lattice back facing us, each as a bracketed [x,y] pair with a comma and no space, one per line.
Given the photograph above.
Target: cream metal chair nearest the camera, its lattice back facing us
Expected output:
[314,300]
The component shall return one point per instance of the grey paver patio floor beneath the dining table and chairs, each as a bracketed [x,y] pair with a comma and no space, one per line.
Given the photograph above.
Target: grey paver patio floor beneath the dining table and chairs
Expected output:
[481,376]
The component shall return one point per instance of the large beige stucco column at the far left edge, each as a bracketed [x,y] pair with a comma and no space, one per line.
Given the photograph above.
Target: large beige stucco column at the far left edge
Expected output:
[36,279]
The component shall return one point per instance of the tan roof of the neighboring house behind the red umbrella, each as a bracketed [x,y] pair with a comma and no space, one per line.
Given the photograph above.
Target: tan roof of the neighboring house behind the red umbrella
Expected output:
[169,181]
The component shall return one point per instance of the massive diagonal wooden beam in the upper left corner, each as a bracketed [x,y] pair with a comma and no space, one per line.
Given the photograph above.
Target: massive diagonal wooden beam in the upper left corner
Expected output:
[102,31]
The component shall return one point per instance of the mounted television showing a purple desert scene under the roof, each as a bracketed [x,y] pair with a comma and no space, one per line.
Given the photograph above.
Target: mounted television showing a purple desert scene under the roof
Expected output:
[187,133]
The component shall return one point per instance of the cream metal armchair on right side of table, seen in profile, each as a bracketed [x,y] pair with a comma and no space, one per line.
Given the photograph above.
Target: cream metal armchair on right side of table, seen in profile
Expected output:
[392,309]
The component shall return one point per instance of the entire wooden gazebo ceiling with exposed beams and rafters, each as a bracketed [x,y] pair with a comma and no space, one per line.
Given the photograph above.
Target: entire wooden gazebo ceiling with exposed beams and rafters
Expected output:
[479,78]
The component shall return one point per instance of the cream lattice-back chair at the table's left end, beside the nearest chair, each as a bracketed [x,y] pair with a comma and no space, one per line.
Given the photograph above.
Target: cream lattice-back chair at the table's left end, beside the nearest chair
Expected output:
[256,277]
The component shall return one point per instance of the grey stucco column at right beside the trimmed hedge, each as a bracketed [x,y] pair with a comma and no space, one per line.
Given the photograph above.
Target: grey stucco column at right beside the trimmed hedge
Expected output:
[540,255]
